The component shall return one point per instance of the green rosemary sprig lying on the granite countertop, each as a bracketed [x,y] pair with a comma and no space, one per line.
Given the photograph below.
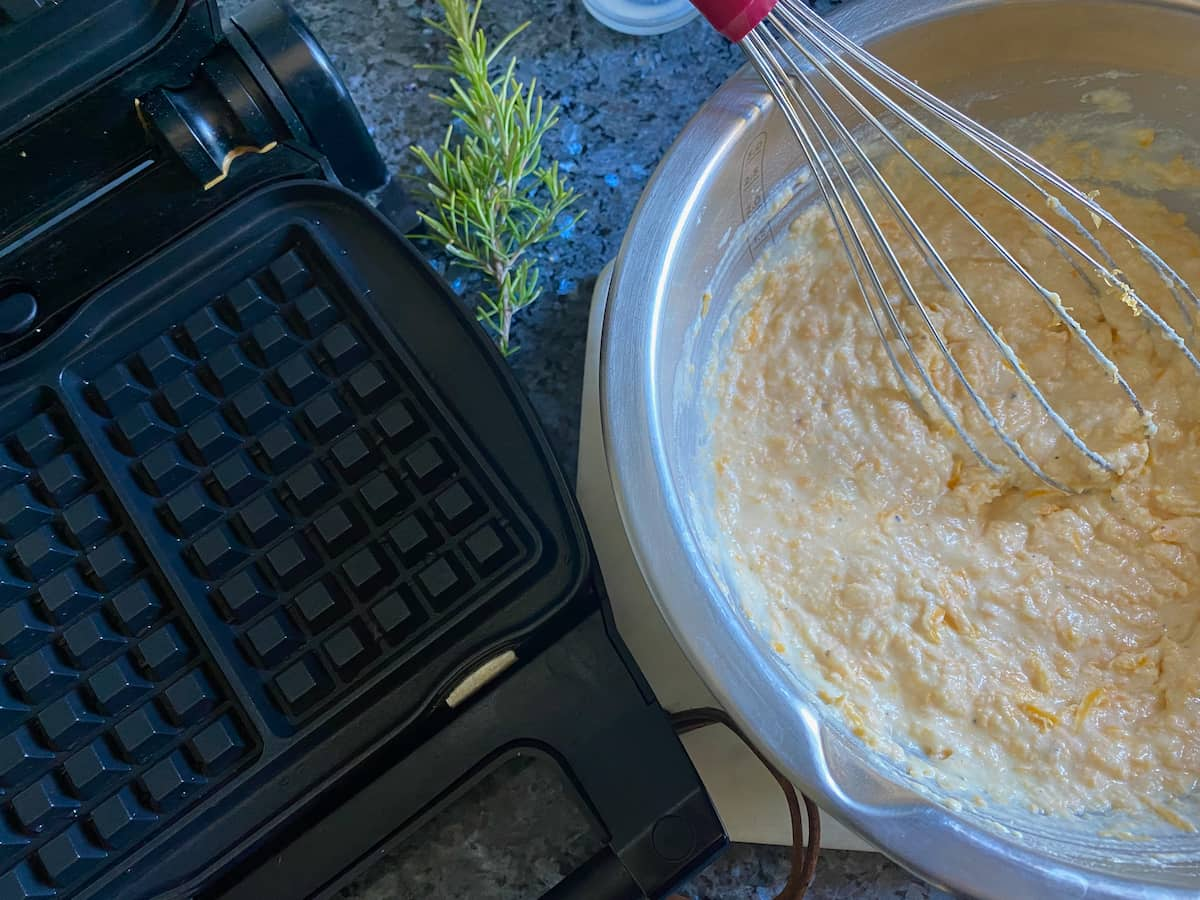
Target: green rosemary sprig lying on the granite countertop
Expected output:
[493,199]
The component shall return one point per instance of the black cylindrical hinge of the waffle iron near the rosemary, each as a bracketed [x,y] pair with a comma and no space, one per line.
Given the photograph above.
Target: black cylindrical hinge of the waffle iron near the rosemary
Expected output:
[267,85]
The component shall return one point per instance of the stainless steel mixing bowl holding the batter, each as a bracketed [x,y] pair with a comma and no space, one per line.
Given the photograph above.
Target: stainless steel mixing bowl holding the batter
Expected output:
[703,221]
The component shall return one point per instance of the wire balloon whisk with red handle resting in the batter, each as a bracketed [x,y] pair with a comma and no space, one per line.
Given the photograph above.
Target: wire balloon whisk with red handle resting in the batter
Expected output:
[811,68]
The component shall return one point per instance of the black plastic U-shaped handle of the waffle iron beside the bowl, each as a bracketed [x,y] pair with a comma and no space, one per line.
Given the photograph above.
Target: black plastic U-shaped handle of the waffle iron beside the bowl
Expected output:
[579,703]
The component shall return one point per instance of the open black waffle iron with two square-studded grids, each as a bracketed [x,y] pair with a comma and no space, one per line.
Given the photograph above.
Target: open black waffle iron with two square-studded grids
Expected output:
[285,562]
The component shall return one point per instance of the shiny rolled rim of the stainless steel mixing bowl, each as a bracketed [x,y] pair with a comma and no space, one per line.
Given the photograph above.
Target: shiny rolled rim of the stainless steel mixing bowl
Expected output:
[755,687]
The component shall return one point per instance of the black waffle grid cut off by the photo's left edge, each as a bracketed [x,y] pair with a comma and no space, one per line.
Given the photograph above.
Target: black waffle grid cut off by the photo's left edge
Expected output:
[113,717]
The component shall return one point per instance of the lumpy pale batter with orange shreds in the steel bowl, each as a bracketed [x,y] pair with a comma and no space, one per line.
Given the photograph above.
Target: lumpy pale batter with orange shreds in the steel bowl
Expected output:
[1021,645]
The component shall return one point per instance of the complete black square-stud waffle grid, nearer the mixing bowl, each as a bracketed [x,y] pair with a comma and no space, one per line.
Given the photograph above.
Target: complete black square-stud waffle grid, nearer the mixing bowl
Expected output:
[326,518]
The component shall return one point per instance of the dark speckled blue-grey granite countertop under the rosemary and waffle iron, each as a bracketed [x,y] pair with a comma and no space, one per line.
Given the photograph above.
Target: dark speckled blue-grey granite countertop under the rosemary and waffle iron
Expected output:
[623,101]
